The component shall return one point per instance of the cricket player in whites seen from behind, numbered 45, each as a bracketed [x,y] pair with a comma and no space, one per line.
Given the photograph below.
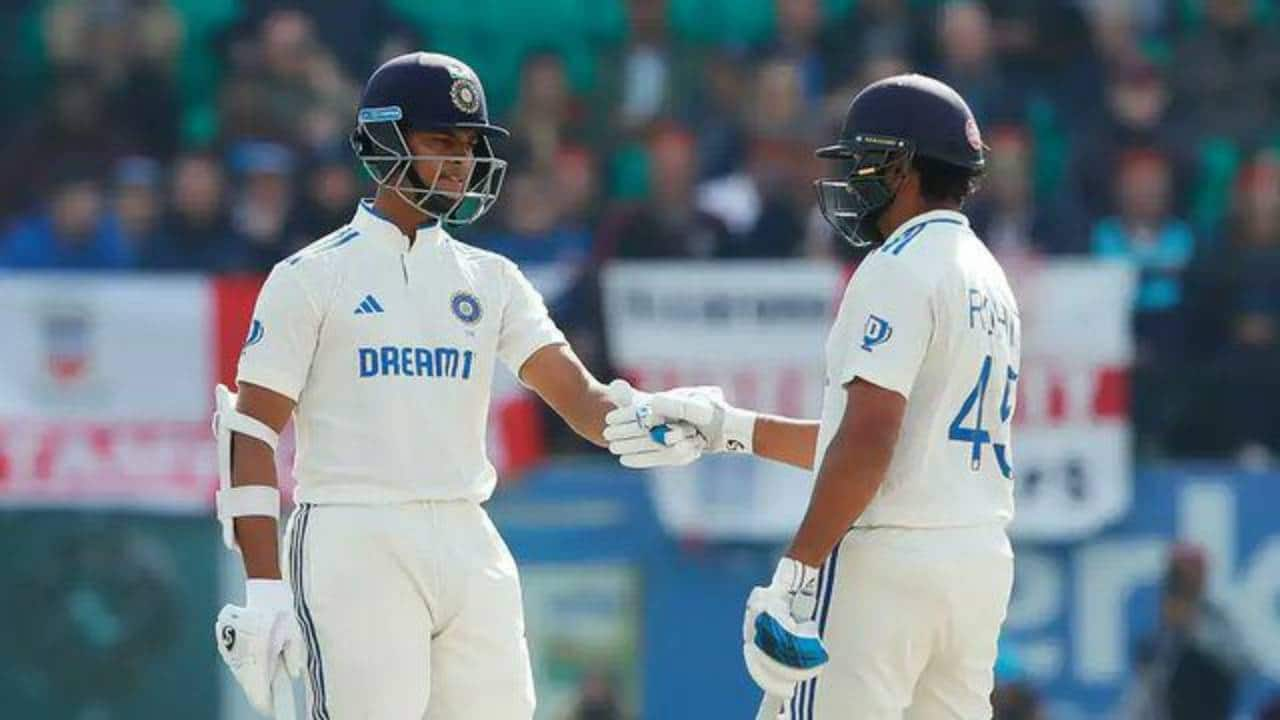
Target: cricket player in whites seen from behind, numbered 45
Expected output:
[898,580]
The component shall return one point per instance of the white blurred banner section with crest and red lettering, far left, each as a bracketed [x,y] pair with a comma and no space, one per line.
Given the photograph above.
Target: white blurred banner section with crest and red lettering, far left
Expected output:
[106,391]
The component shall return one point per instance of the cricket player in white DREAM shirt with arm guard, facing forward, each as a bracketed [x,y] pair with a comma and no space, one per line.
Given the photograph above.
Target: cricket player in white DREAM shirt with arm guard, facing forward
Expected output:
[395,591]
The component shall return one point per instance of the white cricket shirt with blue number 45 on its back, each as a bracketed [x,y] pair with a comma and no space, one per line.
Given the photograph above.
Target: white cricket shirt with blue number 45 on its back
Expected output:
[930,316]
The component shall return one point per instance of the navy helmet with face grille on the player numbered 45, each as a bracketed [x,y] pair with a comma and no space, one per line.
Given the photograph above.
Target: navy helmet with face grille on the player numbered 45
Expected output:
[888,125]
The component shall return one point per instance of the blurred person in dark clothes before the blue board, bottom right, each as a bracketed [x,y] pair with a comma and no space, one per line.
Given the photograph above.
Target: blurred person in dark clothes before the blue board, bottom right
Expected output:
[1190,668]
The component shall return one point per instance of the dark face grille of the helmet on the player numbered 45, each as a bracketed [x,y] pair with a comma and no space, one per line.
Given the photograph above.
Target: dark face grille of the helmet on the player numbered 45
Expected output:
[853,203]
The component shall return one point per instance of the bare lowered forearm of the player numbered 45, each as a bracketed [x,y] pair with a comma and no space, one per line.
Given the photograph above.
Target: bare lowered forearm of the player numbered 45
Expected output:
[852,472]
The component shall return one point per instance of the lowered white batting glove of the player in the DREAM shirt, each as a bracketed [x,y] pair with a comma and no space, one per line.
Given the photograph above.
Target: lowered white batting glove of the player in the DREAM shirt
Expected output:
[258,639]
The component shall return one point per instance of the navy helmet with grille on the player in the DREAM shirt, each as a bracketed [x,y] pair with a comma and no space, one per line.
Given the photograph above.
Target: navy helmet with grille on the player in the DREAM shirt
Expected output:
[428,92]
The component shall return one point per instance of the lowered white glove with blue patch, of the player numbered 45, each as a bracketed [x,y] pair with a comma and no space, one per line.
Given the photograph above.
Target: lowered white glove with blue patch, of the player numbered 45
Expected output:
[780,639]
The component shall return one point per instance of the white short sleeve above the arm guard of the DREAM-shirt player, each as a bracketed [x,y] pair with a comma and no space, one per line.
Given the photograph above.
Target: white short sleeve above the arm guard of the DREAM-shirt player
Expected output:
[282,336]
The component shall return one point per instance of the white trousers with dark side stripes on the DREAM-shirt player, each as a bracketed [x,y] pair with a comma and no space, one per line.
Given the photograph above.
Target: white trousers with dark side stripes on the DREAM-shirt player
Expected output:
[409,613]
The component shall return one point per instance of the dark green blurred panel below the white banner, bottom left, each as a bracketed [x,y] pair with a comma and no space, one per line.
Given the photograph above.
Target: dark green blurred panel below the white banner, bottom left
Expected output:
[108,617]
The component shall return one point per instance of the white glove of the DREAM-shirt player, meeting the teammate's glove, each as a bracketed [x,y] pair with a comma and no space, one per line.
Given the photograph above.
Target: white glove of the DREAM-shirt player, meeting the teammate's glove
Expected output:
[641,440]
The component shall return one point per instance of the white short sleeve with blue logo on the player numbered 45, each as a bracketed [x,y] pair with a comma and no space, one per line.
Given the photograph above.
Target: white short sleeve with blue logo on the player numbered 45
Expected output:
[892,322]
